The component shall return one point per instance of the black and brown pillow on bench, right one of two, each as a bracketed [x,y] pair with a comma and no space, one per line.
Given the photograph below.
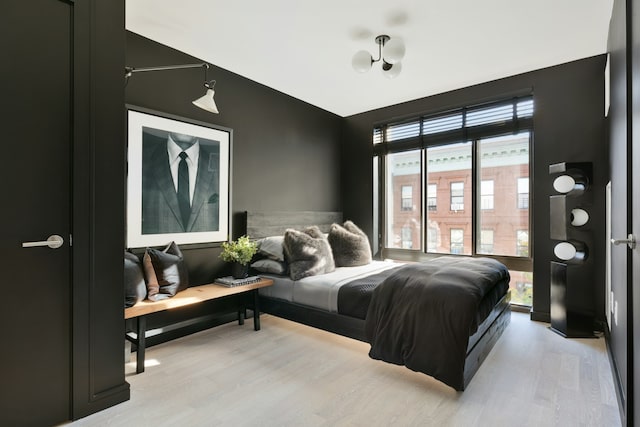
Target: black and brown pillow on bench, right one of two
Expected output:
[166,273]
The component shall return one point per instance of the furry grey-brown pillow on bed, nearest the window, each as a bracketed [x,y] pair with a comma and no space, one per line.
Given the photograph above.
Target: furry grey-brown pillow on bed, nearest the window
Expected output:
[350,245]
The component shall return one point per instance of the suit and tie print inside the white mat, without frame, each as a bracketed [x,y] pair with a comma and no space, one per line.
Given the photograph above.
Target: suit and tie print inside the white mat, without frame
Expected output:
[180,185]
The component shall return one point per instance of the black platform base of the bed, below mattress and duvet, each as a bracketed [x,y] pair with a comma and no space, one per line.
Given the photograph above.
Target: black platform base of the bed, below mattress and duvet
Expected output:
[480,343]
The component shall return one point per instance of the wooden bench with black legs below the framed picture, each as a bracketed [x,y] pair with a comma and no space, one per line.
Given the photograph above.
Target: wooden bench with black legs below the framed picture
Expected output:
[189,296]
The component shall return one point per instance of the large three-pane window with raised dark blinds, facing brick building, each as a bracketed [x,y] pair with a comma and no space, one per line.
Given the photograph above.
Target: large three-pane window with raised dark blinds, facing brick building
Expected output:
[480,155]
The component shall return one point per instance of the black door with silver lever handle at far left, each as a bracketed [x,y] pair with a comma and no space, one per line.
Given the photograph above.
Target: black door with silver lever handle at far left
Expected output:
[35,362]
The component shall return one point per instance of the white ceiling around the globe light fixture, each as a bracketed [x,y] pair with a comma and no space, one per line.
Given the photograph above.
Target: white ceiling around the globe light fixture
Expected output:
[304,48]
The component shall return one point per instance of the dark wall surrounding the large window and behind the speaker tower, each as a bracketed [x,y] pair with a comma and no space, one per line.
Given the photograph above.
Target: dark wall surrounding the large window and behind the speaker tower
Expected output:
[568,126]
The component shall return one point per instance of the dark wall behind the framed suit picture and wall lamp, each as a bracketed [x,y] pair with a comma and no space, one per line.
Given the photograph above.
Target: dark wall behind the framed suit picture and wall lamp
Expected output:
[286,153]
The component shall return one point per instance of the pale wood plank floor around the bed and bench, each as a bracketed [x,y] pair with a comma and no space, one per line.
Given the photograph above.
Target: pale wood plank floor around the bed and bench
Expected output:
[292,375]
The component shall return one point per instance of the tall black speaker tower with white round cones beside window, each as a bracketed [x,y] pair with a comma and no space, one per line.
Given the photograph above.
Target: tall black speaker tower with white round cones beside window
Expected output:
[569,226]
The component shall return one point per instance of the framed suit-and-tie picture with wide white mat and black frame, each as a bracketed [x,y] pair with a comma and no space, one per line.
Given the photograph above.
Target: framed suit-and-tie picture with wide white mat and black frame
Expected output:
[178,180]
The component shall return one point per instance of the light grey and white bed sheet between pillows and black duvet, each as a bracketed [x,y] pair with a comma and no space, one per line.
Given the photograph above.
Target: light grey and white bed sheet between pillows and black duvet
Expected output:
[321,291]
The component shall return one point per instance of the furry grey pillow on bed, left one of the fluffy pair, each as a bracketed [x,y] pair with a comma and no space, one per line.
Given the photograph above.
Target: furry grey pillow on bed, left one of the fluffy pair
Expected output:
[308,253]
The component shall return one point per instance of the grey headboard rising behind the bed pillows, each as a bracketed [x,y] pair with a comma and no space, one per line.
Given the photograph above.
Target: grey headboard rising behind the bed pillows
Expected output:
[264,224]
